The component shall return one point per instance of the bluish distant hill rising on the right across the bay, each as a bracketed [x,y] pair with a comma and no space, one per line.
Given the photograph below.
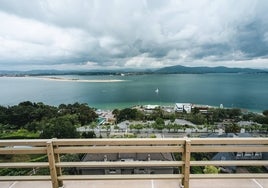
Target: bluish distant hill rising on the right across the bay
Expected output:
[178,69]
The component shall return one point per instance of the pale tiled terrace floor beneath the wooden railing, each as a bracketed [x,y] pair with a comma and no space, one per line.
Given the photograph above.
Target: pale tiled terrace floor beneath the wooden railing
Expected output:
[206,183]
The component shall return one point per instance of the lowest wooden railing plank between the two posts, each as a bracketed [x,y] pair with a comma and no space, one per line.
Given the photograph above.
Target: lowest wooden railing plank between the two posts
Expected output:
[121,177]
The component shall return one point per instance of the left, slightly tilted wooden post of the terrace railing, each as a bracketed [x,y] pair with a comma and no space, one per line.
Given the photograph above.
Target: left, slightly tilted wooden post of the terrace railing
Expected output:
[52,165]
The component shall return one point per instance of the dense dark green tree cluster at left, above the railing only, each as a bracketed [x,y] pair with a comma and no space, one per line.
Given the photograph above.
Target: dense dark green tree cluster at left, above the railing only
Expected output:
[37,120]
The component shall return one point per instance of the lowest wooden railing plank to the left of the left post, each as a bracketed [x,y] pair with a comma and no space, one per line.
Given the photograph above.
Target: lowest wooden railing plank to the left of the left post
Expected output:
[25,178]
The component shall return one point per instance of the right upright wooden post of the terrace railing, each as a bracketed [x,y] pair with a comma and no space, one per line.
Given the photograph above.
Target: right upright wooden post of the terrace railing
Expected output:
[186,157]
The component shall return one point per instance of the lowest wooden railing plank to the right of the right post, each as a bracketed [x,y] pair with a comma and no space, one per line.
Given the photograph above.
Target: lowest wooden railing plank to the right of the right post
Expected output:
[229,176]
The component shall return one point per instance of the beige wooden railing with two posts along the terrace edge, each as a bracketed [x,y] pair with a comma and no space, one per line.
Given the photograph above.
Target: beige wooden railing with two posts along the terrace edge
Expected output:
[55,148]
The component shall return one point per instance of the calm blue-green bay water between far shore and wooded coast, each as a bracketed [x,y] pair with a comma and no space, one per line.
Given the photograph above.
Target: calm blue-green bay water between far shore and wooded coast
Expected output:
[247,91]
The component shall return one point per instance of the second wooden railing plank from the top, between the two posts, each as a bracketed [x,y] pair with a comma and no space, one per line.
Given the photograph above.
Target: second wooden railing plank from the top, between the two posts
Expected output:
[119,149]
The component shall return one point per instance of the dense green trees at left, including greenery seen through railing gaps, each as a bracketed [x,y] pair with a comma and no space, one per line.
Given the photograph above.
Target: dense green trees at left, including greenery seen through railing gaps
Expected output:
[29,120]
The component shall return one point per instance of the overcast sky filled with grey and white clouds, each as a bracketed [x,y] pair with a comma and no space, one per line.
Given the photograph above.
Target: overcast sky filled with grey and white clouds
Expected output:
[137,34]
